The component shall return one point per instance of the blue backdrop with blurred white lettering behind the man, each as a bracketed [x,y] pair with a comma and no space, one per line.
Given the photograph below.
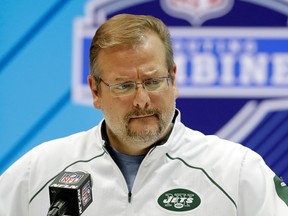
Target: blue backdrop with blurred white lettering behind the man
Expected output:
[232,70]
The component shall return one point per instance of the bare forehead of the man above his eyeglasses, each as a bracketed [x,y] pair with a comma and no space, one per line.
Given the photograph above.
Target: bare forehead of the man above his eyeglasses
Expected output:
[146,57]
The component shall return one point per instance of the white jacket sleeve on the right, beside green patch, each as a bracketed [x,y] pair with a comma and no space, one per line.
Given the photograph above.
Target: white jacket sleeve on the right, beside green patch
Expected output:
[261,192]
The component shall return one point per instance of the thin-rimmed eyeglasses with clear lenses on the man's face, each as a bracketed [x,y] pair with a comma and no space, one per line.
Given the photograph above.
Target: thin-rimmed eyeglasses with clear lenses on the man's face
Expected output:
[127,88]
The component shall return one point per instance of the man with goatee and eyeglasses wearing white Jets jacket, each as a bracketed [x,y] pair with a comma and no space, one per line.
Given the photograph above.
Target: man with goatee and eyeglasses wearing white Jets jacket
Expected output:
[142,159]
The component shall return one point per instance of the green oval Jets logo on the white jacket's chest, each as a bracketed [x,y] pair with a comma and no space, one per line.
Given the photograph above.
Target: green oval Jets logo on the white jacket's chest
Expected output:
[179,200]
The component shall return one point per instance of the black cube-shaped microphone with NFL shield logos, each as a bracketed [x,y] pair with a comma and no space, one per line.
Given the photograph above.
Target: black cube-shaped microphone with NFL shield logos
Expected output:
[70,193]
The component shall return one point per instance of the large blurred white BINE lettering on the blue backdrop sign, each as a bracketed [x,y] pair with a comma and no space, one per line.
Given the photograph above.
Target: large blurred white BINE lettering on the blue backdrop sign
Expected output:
[244,69]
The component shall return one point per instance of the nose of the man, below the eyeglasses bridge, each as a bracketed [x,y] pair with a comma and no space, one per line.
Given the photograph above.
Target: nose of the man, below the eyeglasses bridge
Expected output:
[141,98]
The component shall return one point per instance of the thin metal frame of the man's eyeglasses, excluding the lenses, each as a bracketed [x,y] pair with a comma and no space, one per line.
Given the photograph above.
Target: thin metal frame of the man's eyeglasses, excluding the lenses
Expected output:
[135,85]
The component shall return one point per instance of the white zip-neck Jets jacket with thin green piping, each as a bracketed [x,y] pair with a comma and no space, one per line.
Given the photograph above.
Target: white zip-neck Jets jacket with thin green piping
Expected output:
[191,174]
